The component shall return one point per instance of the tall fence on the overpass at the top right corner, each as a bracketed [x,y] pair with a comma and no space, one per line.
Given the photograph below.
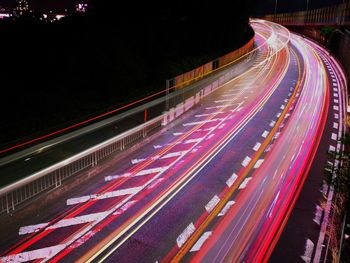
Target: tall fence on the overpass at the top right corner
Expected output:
[332,15]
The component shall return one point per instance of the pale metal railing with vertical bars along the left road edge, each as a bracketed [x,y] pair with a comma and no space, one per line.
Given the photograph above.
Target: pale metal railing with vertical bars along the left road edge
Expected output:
[52,177]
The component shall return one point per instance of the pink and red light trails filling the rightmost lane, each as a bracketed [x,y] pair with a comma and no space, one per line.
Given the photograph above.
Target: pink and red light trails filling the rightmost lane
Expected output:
[256,244]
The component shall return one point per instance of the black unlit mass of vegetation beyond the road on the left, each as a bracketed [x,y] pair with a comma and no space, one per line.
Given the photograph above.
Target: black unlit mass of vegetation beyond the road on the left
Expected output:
[53,74]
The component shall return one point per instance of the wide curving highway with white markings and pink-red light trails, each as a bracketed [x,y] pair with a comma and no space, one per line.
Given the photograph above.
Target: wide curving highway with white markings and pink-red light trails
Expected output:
[218,185]
